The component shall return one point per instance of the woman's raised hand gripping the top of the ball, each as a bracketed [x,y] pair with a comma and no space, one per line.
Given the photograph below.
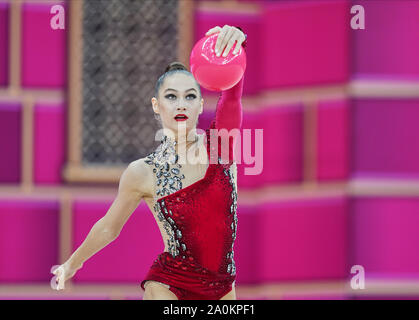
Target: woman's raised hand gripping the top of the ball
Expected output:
[228,37]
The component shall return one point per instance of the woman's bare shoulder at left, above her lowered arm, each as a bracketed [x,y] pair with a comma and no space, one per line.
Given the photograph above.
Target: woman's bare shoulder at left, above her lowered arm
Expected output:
[138,177]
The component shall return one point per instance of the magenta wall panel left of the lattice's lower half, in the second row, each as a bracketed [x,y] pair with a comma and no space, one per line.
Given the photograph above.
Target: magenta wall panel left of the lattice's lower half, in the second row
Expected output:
[49,142]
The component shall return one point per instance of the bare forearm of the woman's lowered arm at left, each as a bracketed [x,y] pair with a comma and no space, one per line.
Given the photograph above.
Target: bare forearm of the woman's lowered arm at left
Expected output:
[98,238]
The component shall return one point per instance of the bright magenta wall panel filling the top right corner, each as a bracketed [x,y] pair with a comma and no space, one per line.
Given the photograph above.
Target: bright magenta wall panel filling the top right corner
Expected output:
[388,45]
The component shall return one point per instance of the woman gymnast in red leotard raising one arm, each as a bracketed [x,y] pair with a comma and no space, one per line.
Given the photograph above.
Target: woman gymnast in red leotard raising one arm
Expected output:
[194,204]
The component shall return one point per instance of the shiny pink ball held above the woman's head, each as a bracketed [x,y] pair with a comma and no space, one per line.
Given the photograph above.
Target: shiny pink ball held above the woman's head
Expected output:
[216,73]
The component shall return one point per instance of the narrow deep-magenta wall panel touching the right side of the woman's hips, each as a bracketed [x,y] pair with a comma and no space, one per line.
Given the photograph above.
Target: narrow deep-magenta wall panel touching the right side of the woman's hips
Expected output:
[246,244]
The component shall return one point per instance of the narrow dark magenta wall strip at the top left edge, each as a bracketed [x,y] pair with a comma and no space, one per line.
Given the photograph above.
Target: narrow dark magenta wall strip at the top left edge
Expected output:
[4,44]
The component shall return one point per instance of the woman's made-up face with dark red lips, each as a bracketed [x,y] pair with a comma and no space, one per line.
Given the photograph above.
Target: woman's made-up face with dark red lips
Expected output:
[178,95]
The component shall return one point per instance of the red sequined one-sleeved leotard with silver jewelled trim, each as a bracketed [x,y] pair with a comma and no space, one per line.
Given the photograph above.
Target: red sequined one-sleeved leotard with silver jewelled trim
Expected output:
[199,220]
